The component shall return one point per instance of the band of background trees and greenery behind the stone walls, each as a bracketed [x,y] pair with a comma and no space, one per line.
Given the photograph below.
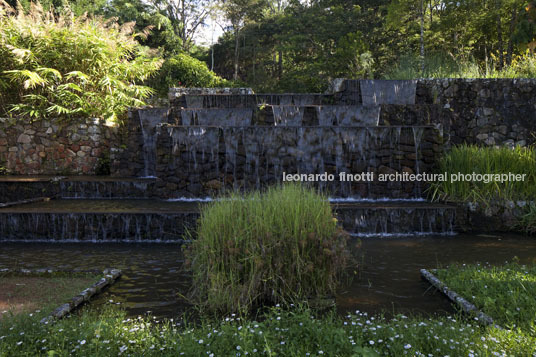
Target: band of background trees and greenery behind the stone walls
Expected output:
[291,45]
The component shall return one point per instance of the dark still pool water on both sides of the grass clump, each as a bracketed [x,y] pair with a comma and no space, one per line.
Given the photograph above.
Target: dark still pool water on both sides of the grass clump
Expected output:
[388,280]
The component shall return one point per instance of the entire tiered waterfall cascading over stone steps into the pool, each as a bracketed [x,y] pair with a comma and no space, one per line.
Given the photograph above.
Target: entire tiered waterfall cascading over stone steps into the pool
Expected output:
[219,146]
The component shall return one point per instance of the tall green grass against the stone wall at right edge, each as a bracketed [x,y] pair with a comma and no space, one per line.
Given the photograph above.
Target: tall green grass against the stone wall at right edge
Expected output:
[467,159]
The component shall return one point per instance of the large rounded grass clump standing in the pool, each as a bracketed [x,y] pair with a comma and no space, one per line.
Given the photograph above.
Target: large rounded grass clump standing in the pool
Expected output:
[281,246]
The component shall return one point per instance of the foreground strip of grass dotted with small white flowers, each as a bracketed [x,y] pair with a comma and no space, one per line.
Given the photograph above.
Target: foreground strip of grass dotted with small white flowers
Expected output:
[295,332]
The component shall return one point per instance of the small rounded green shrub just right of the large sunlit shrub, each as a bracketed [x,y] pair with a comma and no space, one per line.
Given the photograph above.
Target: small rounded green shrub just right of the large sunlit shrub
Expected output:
[184,71]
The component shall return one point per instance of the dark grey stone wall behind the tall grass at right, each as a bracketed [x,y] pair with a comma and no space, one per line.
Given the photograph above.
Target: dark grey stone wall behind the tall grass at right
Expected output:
[482,111]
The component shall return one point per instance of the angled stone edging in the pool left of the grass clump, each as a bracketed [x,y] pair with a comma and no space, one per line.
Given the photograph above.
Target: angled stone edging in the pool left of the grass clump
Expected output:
[110,276]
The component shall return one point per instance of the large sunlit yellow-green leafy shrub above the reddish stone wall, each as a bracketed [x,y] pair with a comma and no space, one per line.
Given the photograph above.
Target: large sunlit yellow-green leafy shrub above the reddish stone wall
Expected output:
[67,66]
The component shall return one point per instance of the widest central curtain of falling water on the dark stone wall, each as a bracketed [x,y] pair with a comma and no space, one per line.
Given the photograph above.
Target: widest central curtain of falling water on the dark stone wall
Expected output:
[253,156]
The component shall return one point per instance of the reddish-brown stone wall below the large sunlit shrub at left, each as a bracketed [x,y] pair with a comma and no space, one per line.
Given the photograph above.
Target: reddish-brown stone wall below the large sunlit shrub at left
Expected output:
[50,147]
